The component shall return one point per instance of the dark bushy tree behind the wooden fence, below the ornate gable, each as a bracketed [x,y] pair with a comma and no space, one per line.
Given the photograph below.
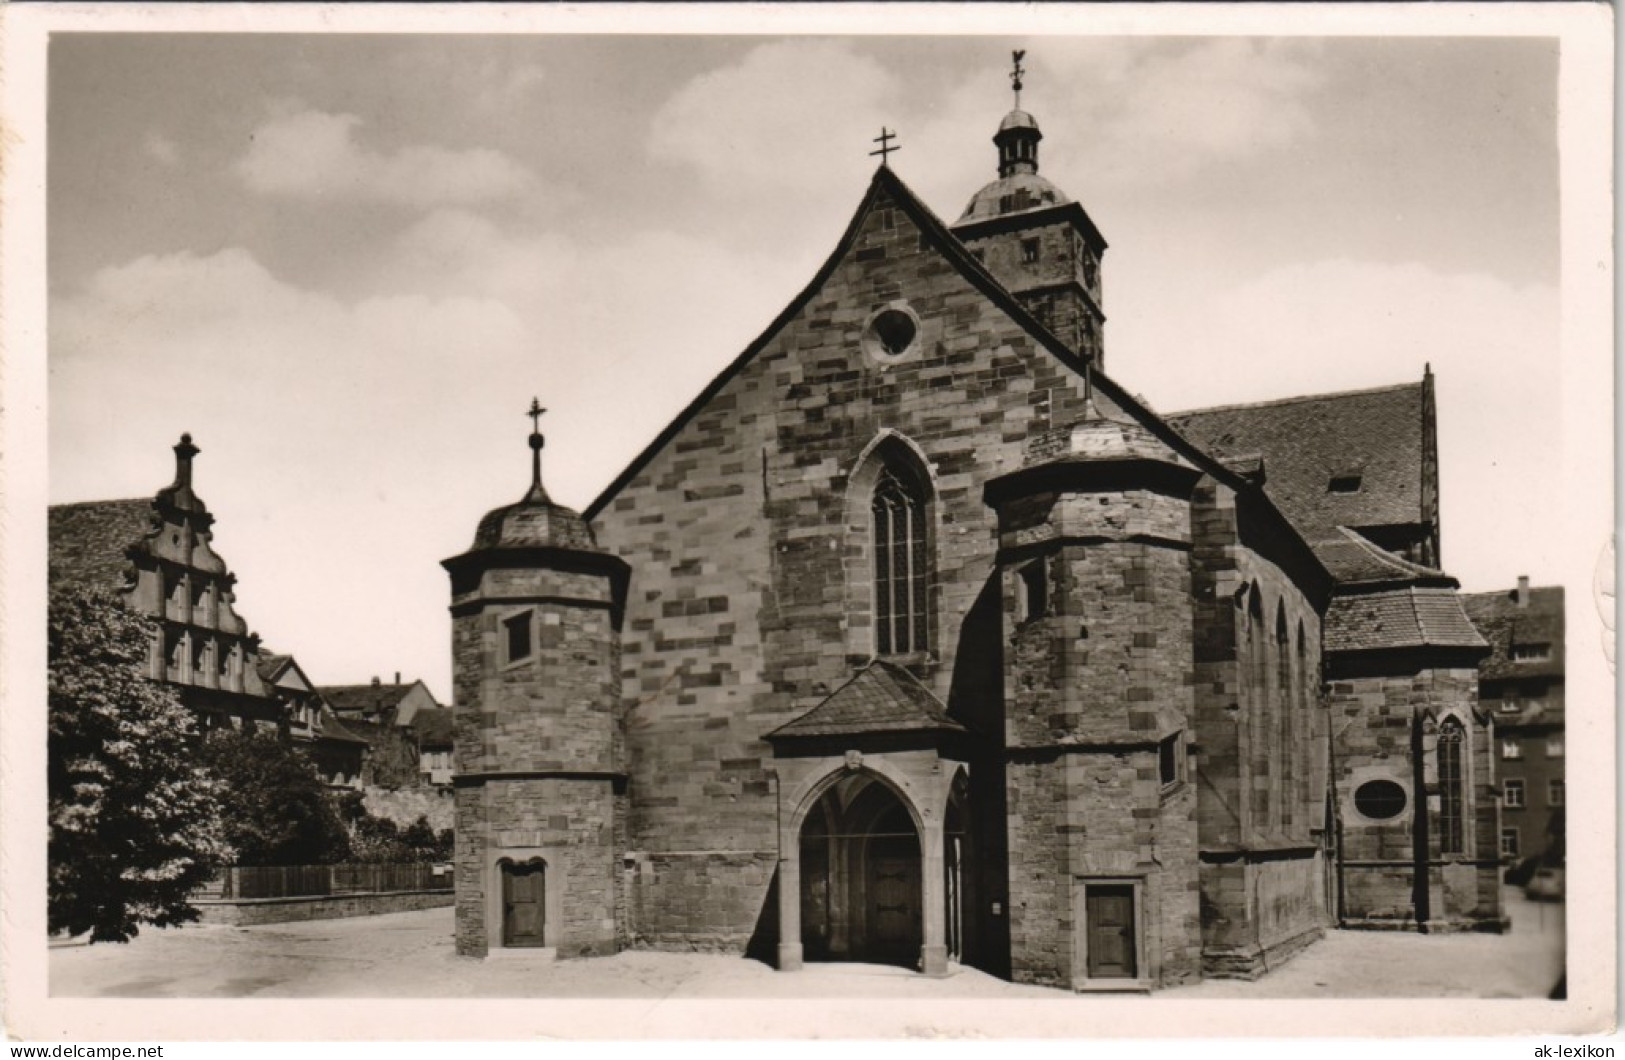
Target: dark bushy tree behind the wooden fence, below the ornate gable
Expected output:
[275,810]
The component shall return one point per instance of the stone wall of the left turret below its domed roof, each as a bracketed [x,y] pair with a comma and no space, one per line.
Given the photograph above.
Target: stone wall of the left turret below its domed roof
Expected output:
[553,711]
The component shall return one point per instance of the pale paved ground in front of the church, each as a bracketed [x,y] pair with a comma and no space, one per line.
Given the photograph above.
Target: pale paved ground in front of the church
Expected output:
[410,957]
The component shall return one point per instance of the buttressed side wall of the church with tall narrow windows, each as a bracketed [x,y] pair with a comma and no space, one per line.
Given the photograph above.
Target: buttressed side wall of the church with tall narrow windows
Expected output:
[1262,755]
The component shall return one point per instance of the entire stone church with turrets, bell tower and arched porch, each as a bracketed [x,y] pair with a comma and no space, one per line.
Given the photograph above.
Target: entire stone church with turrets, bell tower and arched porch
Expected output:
[917,638]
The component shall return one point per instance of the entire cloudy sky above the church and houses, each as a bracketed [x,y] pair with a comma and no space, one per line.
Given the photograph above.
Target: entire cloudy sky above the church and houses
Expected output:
[347,264]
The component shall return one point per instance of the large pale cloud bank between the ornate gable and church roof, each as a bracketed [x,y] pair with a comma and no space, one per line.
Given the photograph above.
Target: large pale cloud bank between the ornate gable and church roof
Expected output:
[384,424]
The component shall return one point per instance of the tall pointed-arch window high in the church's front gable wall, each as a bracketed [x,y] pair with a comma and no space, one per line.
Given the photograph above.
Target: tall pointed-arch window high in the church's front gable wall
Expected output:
[901,563]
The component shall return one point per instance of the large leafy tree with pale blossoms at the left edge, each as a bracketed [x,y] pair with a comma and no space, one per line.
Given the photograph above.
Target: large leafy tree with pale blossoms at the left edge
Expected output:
[134,822]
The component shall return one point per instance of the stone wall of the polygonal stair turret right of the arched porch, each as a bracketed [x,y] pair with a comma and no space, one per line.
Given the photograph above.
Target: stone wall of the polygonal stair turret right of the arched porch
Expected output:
[1093,687]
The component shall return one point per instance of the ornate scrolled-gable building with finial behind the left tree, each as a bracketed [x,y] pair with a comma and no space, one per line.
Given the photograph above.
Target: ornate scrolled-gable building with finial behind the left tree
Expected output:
[157,557]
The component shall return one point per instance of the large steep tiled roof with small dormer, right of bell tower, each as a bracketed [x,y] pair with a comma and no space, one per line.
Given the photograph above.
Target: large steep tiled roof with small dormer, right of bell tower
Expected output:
[1377,435]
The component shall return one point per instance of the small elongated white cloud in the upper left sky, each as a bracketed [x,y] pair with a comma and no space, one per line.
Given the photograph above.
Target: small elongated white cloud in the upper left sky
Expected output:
[316,155]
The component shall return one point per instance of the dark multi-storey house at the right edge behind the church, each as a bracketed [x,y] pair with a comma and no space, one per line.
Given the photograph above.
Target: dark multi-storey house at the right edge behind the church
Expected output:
[1522,685]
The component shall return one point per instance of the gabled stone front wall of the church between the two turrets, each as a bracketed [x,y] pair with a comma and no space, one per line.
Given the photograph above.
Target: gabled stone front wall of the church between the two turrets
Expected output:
[750,560]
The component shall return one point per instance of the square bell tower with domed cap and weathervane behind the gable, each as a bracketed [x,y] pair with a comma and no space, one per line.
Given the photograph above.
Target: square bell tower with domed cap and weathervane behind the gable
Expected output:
[1034,240]
